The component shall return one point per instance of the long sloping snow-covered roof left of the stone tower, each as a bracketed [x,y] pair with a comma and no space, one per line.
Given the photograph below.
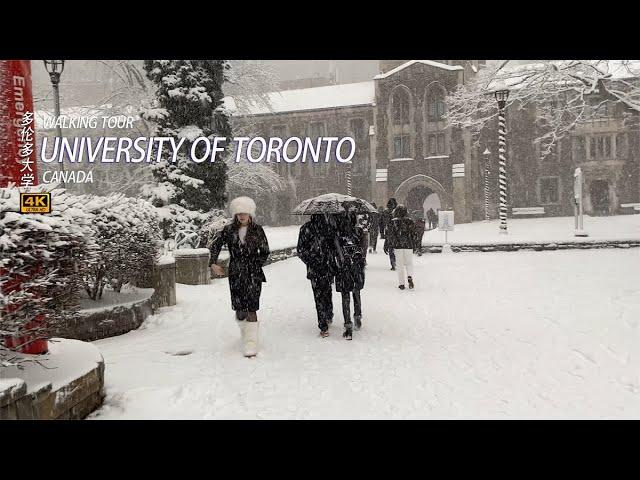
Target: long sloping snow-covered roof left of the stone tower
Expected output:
[316,98]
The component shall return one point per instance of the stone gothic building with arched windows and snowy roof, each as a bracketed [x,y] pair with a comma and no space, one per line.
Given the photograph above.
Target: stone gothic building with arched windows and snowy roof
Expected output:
[405,150]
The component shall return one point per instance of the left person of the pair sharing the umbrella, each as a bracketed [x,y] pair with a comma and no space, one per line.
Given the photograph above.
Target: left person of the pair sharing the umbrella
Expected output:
[316,248]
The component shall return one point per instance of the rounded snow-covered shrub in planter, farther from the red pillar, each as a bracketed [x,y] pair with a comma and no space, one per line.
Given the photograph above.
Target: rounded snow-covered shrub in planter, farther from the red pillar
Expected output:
[127,233]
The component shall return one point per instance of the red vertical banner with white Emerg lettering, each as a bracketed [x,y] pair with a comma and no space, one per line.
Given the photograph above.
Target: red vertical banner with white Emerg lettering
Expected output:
[17,125]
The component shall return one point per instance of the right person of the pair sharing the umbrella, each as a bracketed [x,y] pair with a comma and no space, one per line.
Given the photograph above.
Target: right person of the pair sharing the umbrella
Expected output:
[350,270]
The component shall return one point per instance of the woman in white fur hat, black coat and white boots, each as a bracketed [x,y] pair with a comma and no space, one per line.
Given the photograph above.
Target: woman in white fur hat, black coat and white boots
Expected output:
[248,251]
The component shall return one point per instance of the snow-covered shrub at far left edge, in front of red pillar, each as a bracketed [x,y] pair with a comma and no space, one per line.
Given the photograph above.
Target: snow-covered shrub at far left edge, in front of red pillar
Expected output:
[43,258]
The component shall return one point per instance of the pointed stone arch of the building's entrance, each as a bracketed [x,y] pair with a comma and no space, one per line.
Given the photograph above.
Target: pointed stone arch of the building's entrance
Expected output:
[421,192]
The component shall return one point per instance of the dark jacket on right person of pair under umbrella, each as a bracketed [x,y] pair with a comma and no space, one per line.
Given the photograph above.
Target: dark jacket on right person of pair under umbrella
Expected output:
[350,257]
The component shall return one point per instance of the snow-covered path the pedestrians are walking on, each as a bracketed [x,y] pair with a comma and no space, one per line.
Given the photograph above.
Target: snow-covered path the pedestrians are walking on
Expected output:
[490,335]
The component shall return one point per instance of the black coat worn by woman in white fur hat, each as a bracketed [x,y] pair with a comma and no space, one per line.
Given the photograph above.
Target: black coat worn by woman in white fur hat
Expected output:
[245,263]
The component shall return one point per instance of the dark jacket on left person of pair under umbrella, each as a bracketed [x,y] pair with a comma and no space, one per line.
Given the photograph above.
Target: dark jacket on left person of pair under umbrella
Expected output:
[316,248]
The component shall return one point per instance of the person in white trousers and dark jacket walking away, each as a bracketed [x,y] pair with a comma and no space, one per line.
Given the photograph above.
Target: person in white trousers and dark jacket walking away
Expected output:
[401,236]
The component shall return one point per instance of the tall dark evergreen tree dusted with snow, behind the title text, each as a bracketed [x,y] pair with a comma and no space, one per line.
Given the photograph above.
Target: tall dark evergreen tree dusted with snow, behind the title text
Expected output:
[189,96]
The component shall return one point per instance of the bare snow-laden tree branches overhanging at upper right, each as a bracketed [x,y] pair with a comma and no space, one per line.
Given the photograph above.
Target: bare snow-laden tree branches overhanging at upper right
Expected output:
[563,95]
